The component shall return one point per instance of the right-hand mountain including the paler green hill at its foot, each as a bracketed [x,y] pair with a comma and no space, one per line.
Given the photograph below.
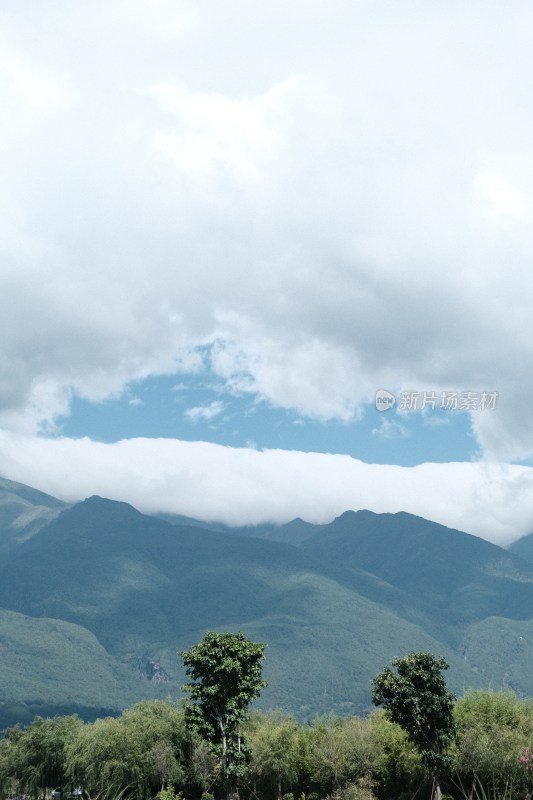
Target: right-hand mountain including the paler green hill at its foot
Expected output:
[471,595]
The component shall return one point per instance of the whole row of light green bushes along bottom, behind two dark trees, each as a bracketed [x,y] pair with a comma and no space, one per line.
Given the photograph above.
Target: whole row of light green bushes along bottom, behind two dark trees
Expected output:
[149,752]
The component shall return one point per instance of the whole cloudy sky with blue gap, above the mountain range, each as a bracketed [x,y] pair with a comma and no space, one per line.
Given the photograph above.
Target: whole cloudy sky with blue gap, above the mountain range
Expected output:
[268,260]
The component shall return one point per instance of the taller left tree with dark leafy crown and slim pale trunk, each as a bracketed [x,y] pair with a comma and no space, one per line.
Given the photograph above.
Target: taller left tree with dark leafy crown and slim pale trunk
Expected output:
[226,668]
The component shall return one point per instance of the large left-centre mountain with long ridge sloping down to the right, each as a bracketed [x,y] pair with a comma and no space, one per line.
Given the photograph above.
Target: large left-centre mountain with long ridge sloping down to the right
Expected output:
[146,589]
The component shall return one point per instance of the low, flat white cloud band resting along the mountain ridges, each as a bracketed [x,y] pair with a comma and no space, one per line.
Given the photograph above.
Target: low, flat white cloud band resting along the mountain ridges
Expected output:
[247,486]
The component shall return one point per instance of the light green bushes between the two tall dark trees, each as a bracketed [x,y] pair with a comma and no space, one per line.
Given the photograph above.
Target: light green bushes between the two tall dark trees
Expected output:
[335,757]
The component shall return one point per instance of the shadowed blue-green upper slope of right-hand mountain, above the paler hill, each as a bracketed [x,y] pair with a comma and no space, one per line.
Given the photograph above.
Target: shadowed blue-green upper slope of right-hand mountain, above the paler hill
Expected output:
[458,579]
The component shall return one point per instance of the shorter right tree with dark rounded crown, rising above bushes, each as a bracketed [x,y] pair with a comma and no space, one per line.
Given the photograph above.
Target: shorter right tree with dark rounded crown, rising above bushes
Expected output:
[416,698]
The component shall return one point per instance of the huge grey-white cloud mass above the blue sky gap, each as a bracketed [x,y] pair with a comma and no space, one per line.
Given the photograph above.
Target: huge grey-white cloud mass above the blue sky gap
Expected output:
[336,197]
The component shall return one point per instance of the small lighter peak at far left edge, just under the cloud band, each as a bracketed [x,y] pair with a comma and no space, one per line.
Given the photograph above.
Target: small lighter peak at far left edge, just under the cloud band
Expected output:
[23,512]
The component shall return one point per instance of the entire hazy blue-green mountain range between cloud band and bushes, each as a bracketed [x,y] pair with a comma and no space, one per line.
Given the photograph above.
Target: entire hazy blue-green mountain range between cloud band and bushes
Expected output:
[99,598]
